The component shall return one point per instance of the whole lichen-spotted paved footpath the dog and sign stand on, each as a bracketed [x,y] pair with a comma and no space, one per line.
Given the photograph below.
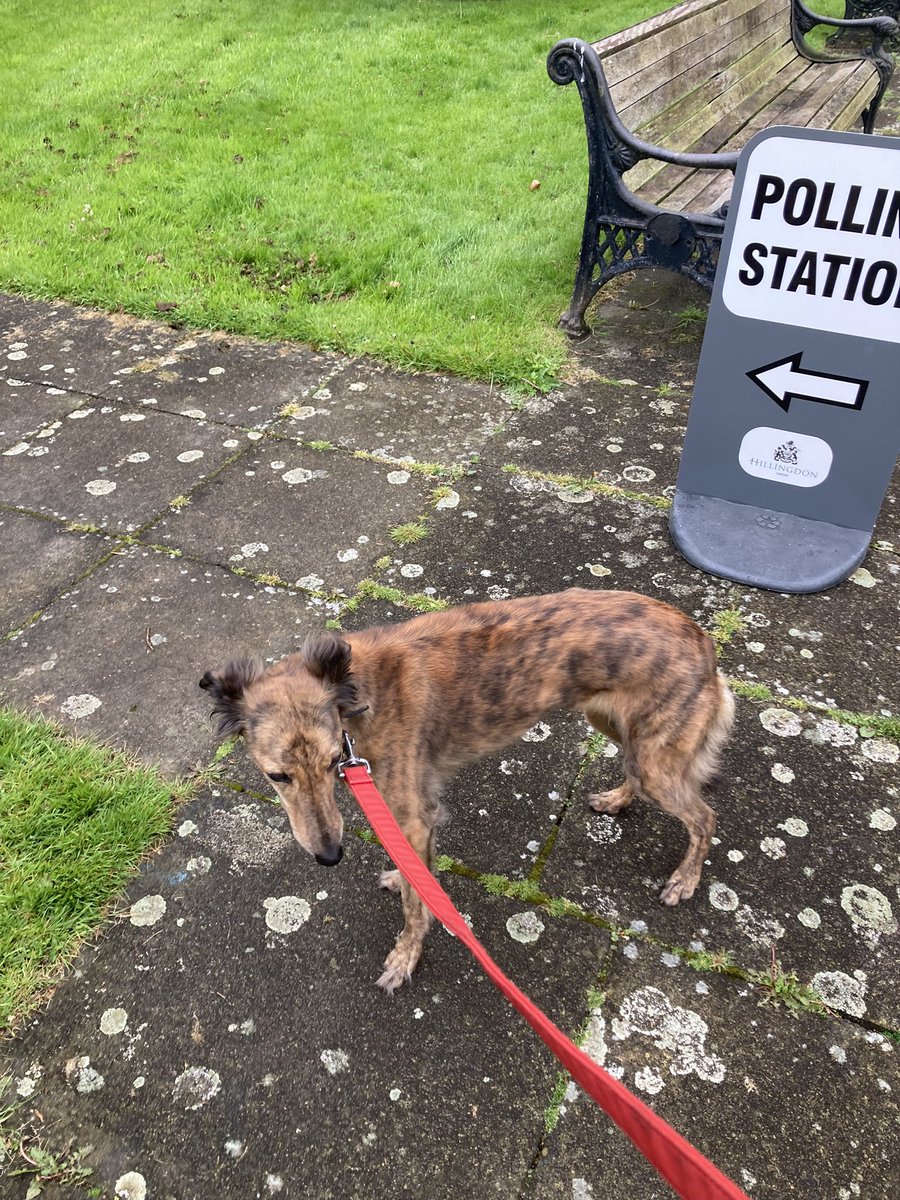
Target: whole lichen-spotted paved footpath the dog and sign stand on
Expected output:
[172,500]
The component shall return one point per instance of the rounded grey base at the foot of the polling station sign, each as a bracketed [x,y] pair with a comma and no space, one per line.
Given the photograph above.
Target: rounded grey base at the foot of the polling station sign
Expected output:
[766,549]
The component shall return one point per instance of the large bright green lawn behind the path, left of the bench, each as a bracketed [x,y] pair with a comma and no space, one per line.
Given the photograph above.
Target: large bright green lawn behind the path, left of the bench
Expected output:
[352,176]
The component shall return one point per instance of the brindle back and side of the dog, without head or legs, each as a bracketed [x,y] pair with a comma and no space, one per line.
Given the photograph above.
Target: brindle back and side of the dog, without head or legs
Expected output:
[469,681]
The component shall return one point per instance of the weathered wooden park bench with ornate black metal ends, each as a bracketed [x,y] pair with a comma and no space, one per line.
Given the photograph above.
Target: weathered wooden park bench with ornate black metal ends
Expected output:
[671,103]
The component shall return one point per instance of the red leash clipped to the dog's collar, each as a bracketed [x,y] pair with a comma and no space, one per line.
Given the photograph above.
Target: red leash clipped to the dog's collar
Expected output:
[692,1175]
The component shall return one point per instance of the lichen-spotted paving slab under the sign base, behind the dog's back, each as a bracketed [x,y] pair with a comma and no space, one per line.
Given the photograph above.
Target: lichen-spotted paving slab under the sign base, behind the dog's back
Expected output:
[512,535]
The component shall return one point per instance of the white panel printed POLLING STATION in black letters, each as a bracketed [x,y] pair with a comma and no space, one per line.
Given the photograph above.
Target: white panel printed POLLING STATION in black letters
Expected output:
[817,243]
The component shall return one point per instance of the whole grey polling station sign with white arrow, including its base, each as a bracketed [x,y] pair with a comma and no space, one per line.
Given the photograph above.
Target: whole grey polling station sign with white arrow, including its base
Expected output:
[795,422]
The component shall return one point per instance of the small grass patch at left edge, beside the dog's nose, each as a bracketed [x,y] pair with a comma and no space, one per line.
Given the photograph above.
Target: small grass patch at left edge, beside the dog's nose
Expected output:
[75,820]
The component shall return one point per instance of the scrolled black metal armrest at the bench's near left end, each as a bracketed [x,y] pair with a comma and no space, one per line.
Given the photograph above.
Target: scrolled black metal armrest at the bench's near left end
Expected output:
[577,62]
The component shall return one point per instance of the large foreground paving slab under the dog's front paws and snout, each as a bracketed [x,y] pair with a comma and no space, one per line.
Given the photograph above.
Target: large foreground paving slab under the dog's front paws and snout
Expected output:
[226,1036]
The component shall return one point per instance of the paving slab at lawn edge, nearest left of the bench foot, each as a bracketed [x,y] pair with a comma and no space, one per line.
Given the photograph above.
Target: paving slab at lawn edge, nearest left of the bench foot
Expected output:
[368,406]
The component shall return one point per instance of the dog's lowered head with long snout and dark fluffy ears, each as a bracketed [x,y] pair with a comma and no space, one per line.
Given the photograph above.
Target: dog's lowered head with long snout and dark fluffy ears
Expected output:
[290,716]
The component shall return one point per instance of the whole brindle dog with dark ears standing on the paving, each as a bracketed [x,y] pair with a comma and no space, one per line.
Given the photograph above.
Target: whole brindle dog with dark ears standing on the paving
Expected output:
[425,698]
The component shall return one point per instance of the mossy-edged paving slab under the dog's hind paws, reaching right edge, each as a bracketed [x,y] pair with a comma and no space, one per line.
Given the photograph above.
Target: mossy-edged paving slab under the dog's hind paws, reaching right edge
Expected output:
[806,860]
